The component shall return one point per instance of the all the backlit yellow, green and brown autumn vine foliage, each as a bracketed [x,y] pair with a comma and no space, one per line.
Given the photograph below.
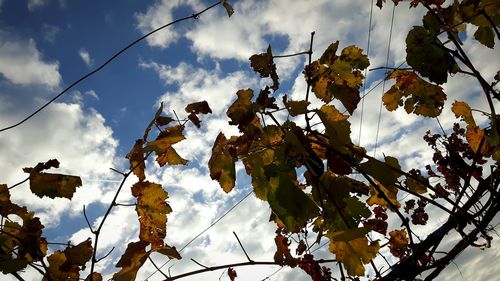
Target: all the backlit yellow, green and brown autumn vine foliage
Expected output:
[315,178]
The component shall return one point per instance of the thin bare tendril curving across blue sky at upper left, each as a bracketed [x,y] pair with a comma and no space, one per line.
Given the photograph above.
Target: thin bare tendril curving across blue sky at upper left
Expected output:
[193,16]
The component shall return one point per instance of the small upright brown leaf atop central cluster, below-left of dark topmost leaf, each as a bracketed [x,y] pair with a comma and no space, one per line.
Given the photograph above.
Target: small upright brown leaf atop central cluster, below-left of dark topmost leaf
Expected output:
[242,111]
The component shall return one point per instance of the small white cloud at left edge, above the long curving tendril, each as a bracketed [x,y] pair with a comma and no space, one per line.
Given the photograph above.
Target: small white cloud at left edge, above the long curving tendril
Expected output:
[22,63]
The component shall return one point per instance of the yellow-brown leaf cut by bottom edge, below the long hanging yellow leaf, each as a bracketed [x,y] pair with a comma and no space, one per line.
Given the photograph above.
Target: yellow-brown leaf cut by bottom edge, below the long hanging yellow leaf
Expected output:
[131,261]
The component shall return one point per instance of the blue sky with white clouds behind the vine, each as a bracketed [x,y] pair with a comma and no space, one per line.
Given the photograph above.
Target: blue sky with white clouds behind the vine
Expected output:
[45,45]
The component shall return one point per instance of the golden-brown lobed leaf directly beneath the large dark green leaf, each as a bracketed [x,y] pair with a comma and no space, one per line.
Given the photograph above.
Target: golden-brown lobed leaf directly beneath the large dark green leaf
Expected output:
[418,95]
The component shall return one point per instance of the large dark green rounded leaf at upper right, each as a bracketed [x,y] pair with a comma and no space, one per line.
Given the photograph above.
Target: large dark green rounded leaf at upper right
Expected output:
[425,56]
